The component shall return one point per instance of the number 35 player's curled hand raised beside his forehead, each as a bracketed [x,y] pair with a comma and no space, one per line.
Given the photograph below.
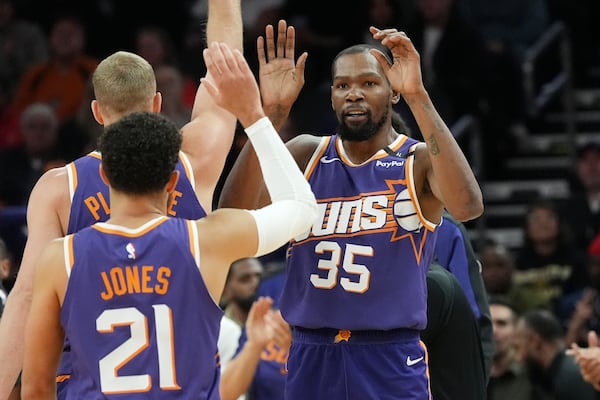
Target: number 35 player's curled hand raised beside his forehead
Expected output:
[404,73]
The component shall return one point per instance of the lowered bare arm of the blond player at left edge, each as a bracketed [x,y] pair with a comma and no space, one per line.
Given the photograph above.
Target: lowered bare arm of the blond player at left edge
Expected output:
[43,224]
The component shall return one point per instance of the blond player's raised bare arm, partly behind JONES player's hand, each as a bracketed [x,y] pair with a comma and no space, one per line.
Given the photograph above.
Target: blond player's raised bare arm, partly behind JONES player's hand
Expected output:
[208,137]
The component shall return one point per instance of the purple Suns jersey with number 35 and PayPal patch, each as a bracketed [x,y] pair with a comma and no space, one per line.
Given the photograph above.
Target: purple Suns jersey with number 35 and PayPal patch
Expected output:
[363,264]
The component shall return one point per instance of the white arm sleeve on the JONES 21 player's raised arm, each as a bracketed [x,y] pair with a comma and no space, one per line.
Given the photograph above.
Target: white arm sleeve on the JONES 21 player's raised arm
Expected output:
[293,207]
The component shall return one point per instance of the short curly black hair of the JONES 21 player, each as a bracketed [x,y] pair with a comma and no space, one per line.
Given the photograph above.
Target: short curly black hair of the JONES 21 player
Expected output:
[139,152]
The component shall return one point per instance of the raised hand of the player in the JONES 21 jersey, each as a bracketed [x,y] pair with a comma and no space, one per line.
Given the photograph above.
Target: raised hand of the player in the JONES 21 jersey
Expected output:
[231,83]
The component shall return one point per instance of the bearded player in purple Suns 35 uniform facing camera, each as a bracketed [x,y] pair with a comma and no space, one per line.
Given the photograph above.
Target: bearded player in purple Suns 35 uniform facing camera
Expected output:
[355,290]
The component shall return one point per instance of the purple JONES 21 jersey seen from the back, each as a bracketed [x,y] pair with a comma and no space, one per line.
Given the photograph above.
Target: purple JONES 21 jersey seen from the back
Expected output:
[140,320]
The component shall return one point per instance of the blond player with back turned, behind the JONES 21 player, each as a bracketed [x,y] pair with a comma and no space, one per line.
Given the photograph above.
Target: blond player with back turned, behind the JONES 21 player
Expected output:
[68,199]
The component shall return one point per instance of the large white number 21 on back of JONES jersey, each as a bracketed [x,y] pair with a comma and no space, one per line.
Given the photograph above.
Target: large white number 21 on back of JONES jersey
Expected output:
[110,381]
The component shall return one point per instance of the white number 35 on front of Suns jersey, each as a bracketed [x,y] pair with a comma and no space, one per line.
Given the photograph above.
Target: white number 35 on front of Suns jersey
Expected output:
[332,265]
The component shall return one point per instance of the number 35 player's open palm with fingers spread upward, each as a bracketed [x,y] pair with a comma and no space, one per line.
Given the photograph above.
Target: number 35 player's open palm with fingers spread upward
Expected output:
[281,79]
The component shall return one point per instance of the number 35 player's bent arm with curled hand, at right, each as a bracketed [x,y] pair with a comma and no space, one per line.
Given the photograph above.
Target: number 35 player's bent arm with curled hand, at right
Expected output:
[447,172]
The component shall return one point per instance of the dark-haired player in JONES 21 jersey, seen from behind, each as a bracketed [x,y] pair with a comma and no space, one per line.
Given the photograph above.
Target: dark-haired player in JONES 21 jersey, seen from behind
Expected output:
[129,291]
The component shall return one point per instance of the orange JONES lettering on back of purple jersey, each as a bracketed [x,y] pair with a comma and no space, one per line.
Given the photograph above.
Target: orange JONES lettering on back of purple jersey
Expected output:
[119,281]
